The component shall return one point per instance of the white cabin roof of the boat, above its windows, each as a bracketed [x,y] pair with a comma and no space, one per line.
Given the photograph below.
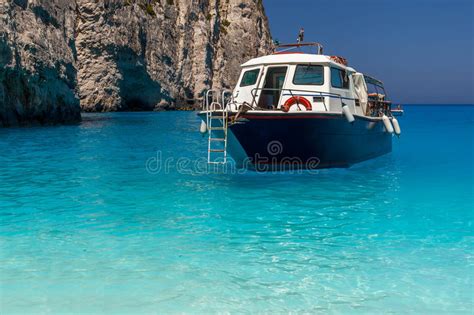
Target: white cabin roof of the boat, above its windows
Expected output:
[293,58]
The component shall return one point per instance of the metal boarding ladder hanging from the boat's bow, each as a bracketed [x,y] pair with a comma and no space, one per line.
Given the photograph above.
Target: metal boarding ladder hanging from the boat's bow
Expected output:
[216,112]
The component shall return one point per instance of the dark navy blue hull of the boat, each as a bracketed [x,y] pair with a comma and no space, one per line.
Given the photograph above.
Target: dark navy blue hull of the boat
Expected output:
[307,140]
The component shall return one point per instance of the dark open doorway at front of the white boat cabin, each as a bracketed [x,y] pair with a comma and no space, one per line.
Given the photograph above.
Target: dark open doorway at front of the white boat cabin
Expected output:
[272,87]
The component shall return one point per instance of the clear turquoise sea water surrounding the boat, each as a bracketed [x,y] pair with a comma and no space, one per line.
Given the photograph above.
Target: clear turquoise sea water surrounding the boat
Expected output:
[87,227]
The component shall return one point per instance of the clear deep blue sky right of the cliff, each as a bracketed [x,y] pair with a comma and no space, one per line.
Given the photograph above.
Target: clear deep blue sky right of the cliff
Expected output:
[421,49]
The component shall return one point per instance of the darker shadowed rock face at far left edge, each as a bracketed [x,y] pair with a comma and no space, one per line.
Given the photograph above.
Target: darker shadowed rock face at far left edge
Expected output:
[37,62]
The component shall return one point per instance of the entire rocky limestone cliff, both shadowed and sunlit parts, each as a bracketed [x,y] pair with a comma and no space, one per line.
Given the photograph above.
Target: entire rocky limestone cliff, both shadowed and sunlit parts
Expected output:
[120,54]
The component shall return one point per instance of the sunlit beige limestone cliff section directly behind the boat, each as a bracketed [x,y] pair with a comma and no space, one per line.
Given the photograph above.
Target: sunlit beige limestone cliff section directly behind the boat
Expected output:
[144,55]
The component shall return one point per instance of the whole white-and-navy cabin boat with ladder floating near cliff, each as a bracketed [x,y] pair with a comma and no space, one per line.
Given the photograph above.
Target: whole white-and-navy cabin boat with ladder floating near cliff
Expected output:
[298,109]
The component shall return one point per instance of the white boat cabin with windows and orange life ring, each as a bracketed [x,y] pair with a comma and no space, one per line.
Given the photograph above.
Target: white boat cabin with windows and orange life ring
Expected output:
[303,82]
